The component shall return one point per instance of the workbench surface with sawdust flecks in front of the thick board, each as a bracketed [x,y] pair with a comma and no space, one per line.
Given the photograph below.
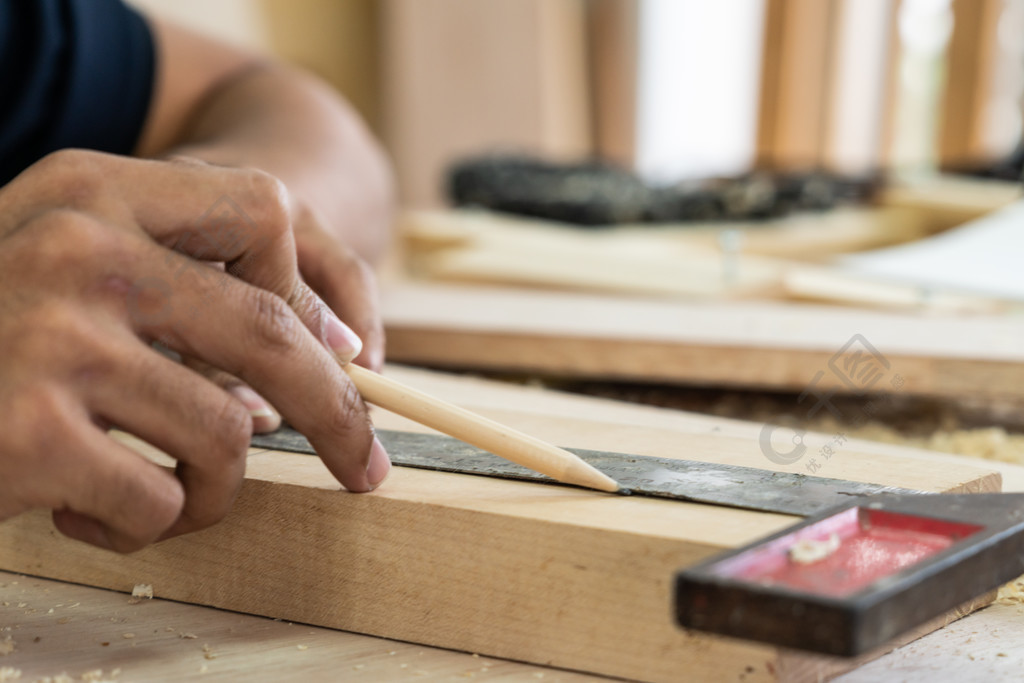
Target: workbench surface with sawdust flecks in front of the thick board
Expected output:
[91,629]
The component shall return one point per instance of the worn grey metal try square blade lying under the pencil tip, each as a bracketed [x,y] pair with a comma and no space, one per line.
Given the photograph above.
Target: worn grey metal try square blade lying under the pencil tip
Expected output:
[731,486]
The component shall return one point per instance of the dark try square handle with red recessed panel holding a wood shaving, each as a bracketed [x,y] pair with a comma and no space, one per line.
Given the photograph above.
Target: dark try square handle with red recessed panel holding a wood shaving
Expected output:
[854,579]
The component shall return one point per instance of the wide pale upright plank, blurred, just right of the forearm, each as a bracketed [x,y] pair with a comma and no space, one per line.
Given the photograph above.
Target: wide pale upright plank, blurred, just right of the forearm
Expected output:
[463,78]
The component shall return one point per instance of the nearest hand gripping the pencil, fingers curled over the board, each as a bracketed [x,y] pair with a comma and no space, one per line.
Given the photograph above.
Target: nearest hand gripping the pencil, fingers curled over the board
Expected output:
[100,257]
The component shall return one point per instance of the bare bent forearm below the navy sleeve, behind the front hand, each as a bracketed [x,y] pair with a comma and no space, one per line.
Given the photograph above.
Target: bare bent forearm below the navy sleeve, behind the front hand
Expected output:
[292,126]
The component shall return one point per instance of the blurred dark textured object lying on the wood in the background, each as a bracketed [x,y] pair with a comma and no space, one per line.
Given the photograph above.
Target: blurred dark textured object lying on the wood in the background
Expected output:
[600,194]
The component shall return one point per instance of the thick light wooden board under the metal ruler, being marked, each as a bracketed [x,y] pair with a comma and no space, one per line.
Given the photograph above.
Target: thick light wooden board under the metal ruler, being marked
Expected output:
[528,572]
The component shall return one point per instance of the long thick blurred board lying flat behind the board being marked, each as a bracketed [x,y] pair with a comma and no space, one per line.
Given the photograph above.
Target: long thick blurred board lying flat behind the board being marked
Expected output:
[746,345]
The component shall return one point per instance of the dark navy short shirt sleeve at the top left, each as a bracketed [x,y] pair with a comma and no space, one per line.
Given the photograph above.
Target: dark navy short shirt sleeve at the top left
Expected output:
[73,74]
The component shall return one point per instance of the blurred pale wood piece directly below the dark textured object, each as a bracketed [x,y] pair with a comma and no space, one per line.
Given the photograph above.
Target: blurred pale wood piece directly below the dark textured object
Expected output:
[471,246]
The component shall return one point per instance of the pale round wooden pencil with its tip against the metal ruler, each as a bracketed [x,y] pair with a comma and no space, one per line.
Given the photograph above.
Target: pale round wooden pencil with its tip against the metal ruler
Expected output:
[478,431]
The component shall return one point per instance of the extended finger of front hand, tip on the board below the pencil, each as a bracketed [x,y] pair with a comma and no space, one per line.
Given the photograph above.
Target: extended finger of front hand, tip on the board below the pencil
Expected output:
[254,335]
